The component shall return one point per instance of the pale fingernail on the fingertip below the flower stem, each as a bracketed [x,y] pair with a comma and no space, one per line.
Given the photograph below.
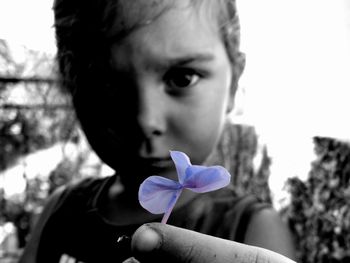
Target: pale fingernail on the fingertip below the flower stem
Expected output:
[145,239]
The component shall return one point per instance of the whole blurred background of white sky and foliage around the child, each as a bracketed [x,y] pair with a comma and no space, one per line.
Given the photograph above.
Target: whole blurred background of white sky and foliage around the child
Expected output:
[293,102]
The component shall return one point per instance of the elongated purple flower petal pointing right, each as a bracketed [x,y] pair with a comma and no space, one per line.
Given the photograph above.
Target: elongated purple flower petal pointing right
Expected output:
[205,180]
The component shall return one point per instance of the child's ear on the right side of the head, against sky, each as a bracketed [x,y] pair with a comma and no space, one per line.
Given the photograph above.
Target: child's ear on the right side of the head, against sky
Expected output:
[237,70]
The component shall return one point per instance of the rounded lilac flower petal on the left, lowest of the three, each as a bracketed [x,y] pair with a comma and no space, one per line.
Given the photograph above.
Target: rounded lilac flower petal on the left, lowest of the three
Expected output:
[156,193]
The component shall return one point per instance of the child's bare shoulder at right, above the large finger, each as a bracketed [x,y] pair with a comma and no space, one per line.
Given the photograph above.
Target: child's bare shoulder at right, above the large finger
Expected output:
[266,229]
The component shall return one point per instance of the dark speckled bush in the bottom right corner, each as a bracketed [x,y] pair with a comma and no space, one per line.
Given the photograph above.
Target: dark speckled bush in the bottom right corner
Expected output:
[319,212]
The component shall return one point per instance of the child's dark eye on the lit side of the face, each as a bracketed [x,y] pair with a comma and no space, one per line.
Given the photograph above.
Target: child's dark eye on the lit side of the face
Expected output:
[181,78]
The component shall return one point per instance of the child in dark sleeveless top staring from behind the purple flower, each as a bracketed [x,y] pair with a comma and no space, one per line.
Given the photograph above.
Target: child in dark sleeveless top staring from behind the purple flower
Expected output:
[146,77]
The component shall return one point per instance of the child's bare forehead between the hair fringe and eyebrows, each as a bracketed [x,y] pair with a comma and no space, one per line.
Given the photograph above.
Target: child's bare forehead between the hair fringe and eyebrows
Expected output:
[179,36]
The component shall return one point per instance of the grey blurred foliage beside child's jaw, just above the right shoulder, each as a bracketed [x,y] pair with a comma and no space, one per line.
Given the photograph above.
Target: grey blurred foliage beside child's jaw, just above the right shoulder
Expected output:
[246,159]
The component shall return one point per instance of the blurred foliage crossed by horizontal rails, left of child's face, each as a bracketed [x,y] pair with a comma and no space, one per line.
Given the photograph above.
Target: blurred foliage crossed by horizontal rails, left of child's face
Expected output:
[34,114]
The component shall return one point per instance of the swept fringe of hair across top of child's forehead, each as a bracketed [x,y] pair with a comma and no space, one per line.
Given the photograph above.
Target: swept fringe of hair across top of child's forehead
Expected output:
[124,16]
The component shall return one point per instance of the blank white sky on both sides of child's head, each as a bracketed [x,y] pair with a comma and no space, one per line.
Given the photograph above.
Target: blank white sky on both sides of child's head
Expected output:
[297,78]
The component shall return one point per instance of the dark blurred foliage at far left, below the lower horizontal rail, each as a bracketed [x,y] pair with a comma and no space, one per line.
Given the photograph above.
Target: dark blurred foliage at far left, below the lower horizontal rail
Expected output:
[24,131]
